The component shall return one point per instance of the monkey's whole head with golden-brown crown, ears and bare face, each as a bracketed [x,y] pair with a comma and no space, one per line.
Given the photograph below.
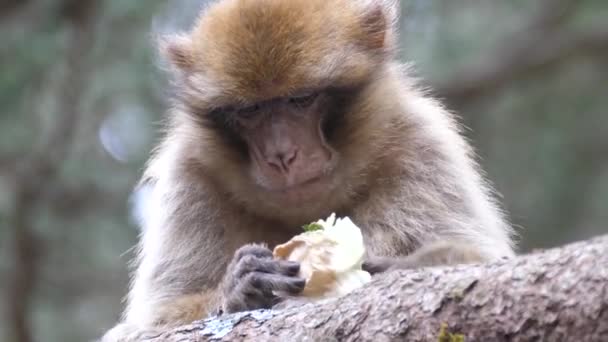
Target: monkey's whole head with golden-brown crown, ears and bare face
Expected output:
[276,99]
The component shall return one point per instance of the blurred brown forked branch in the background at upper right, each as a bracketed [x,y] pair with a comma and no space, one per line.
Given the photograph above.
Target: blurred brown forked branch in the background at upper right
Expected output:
[541,44]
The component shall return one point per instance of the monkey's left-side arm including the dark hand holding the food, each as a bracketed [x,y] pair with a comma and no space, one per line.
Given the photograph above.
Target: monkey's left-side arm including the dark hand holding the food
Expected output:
[194,259]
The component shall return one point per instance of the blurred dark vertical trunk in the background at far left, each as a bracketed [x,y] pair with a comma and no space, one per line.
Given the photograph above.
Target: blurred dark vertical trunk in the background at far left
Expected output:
[34,174]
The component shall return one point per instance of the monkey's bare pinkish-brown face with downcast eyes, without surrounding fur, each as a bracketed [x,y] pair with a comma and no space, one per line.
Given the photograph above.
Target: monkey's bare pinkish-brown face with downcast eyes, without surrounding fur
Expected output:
[285,145]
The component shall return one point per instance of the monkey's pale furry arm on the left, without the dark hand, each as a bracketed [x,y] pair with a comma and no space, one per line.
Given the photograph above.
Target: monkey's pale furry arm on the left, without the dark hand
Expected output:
[181,258]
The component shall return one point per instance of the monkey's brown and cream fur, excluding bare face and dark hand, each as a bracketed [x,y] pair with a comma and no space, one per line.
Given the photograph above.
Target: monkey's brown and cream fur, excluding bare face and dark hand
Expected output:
[406,175]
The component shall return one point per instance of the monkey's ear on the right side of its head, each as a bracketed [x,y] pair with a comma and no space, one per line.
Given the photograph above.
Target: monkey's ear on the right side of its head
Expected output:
[380,21]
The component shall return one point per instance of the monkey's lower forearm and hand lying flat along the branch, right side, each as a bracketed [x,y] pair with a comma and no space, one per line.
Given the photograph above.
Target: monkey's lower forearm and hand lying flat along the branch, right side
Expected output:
[435,254]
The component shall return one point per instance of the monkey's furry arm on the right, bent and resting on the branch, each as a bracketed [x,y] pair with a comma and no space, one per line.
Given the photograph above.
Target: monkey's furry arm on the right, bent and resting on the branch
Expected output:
[439,217]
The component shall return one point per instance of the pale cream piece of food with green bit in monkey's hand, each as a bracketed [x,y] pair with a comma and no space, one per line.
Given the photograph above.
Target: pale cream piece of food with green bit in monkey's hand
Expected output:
[330,253]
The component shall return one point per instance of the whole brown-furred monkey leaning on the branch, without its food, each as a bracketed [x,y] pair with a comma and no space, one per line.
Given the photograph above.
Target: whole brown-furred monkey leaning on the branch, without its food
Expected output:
[285,111]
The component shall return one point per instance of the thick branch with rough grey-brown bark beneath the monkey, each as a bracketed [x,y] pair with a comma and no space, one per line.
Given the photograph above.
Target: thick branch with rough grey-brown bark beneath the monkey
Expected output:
[556,295]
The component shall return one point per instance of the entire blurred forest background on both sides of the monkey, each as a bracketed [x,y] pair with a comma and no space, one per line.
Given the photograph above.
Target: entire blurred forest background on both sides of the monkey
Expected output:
[82,95]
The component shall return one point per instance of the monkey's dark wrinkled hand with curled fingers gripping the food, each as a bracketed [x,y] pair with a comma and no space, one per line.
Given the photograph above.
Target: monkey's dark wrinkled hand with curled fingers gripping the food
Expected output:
[253,278]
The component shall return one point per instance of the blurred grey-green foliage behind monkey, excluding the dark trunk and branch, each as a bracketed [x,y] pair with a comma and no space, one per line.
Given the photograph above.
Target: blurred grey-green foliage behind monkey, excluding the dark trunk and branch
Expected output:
[541,139]
